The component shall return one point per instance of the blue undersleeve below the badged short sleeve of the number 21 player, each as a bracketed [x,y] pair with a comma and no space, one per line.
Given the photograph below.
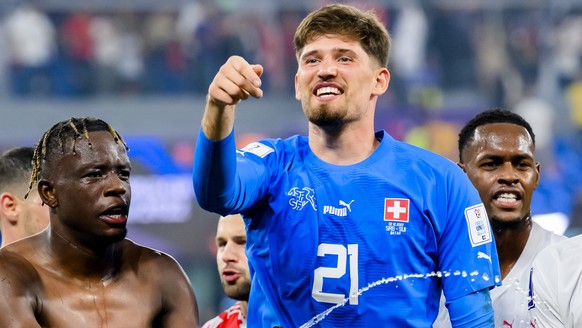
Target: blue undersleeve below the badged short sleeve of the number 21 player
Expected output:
[472,311]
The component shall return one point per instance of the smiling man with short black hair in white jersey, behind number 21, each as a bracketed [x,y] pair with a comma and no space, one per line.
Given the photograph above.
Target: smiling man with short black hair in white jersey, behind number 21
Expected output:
[496,150]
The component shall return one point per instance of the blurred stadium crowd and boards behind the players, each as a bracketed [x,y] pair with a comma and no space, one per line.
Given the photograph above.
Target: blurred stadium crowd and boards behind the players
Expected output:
[144,67]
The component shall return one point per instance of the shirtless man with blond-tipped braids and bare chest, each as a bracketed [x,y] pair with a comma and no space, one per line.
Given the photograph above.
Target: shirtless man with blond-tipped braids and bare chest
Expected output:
[82,271]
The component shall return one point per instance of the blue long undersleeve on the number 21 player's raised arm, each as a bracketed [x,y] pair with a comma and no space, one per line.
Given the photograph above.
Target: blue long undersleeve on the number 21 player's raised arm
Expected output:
[214,172]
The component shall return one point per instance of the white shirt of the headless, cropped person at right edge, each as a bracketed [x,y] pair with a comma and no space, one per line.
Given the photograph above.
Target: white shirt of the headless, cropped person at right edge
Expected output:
[557,285]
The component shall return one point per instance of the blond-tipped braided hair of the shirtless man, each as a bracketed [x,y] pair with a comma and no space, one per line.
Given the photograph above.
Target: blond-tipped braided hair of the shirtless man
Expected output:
[58,136]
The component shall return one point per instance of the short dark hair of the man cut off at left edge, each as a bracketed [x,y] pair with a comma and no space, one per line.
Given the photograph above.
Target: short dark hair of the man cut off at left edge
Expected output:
[15,168]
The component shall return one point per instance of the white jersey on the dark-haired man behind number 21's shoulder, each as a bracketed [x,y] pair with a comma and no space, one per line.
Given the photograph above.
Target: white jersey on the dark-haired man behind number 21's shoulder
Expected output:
[510,300]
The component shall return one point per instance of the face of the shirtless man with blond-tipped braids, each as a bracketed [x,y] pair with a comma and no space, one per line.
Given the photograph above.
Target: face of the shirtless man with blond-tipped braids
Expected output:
[88,189]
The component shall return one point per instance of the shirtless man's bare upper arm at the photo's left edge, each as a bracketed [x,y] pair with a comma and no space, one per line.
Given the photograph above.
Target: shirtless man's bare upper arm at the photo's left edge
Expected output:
[19,284]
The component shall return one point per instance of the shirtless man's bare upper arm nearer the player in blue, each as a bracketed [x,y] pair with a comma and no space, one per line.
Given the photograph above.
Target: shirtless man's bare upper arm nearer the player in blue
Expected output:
[179,305]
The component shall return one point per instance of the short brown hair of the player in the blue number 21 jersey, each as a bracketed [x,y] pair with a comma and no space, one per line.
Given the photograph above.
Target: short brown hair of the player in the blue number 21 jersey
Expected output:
[349,21]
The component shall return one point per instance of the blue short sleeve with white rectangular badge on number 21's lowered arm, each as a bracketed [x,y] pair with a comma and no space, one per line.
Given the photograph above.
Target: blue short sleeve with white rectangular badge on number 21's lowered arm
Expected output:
[467,253]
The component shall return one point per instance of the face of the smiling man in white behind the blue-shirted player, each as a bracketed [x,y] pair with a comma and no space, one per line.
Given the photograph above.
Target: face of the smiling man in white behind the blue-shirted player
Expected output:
[501,165]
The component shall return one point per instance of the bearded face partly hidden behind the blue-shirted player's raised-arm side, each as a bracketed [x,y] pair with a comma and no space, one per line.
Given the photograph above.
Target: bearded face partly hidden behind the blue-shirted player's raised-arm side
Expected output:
[232,262]
